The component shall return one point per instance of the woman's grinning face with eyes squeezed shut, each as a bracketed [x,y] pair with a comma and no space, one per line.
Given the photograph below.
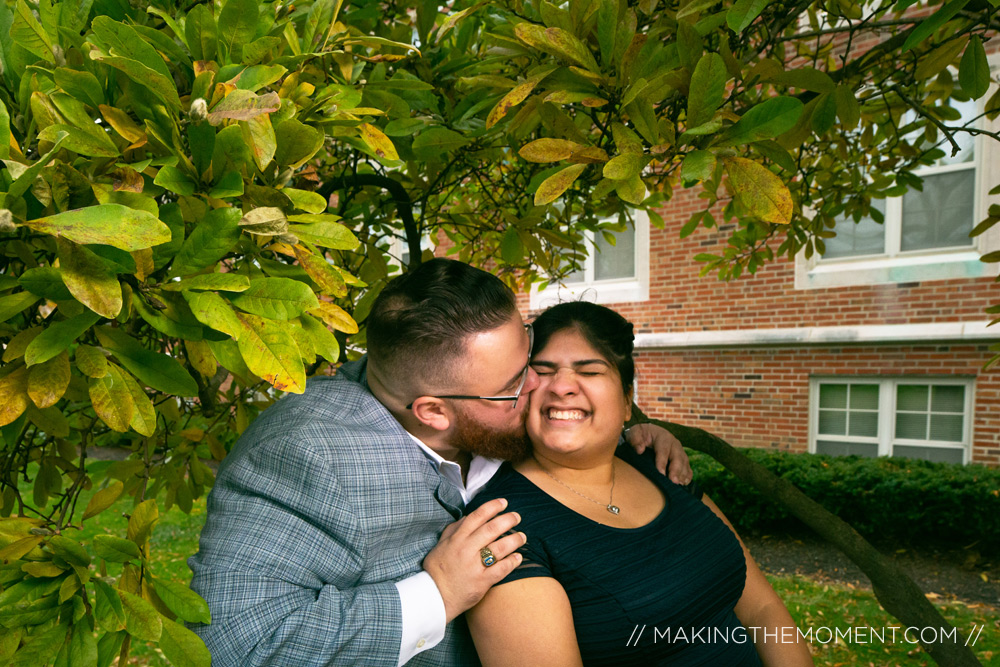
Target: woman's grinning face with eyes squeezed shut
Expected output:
[579,406]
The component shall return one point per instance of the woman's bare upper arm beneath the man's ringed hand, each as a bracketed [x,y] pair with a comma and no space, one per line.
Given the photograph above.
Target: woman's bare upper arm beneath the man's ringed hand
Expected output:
[525,622]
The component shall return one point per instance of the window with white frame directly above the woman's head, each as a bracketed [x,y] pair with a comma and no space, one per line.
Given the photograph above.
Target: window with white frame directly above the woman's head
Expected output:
[611,273]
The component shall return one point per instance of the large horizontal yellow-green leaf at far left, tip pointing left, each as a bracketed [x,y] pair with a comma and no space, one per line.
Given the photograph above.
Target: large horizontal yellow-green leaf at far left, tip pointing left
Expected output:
[125,228]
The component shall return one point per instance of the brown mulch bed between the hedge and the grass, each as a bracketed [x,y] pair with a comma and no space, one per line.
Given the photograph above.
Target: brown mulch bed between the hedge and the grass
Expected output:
[961,573]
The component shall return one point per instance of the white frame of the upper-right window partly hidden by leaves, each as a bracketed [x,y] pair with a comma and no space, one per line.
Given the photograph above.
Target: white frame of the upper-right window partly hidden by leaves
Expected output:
[895,266]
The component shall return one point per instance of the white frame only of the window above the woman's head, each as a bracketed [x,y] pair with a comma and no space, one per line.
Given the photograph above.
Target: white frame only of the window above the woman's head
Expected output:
[617,290]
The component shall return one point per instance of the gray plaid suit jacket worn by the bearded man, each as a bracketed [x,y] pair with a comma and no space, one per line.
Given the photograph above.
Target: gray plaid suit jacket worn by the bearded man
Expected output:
[322,505]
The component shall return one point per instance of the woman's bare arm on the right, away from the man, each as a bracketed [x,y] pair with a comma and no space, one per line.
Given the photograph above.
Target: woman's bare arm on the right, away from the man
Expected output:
[776,638]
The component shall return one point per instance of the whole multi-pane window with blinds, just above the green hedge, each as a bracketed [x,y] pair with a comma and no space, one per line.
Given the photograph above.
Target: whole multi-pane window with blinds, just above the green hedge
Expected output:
[918,418]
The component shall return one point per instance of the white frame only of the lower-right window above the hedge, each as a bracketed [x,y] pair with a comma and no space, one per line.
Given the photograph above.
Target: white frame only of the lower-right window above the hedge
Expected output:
[887,412]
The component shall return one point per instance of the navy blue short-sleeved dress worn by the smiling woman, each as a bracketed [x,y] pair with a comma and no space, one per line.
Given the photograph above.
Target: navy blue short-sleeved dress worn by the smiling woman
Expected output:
[661,594]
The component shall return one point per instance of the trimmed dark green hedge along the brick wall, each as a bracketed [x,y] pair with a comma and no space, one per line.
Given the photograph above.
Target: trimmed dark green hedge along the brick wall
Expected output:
[891,500]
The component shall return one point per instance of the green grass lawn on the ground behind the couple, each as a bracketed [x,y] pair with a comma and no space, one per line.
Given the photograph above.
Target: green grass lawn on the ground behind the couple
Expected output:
[821,607]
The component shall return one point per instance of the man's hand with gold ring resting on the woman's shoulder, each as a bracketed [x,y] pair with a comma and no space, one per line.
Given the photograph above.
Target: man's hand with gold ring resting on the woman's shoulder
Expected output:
[455,564]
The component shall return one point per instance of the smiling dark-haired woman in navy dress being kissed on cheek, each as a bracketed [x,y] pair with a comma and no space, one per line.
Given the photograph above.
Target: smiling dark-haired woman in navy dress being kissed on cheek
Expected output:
[621,566]
